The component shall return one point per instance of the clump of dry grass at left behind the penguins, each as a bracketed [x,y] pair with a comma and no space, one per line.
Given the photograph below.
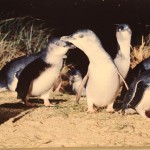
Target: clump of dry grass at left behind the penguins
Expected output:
[20,36]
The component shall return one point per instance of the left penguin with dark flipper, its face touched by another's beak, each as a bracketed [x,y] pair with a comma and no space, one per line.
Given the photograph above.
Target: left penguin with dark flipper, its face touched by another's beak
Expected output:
[41,76]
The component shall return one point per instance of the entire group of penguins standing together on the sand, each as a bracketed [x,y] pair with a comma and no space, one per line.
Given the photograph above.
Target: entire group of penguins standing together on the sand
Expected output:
[39,74]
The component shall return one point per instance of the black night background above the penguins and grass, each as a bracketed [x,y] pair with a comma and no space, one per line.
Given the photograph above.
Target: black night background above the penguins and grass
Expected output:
[101,16]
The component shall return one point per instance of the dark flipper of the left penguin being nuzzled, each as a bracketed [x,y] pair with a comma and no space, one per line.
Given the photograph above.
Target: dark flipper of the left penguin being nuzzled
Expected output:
[28,74]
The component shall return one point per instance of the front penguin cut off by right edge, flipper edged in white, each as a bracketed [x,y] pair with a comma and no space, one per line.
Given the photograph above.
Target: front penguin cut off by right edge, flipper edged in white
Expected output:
[138,95]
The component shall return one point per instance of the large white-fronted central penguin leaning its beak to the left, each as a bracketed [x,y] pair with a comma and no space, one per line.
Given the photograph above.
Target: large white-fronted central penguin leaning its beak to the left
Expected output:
[103,80]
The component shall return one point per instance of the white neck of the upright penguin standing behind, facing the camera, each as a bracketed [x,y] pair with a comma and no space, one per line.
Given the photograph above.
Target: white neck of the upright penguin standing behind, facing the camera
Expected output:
[124,49]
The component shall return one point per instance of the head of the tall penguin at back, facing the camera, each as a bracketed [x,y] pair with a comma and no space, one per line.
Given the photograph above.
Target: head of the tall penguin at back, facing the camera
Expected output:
[123,33]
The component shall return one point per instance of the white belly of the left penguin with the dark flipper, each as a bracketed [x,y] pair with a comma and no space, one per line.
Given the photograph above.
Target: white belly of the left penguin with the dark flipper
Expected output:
[44,82]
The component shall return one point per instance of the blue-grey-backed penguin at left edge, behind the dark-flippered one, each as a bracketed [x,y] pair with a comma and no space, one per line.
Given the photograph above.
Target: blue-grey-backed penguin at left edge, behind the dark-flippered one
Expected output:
[10,72]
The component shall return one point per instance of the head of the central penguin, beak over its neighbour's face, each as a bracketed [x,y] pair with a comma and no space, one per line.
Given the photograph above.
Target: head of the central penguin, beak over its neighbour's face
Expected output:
[83,39]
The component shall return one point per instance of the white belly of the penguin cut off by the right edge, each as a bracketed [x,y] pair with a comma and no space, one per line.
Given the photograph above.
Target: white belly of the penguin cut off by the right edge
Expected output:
[145,102]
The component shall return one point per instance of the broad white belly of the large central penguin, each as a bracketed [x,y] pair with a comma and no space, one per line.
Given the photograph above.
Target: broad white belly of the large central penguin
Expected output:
[102,84]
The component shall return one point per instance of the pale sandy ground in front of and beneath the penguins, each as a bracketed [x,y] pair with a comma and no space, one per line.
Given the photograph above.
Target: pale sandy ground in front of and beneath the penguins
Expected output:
[67,125]
